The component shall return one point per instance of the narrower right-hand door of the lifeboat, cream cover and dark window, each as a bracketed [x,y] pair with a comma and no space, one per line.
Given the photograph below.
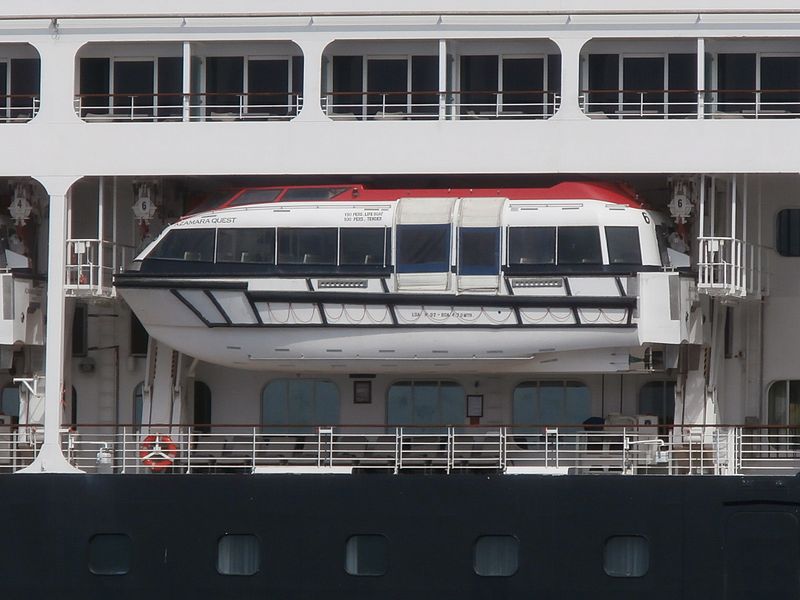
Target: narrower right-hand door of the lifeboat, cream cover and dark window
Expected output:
[479,244]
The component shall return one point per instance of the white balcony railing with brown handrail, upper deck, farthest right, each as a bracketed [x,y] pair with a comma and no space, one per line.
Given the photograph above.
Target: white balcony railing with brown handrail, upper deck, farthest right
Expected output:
[683,104]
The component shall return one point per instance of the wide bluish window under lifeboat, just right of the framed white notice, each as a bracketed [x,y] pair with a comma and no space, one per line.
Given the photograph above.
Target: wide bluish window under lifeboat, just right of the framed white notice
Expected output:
[551,403]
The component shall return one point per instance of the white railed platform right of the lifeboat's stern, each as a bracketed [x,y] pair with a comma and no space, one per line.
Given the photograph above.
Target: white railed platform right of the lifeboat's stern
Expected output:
[730,267]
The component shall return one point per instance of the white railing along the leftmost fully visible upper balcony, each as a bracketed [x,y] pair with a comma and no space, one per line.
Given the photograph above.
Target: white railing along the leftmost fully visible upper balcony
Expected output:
[257,106]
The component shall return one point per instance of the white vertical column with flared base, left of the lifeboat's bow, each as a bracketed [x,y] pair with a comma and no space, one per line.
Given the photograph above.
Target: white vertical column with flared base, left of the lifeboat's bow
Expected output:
[50,457]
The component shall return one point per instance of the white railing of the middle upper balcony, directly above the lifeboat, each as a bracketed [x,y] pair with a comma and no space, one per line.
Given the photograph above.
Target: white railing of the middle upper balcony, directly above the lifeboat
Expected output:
[451,105]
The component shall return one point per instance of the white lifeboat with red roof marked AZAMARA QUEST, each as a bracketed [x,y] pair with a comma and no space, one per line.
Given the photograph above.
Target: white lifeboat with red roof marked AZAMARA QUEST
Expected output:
[326,277]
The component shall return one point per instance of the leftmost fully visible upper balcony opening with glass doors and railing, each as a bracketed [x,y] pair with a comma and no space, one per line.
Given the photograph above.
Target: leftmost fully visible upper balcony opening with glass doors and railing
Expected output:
[189,82]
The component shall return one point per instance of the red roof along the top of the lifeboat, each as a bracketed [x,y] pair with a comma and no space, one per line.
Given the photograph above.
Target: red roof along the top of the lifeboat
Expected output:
[603,191]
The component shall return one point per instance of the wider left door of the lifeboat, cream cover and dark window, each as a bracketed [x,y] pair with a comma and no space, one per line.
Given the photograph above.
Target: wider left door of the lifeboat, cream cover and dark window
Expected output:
[424,244]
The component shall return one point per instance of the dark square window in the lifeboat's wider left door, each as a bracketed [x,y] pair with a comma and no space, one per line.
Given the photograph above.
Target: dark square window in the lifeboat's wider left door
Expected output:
[423,248]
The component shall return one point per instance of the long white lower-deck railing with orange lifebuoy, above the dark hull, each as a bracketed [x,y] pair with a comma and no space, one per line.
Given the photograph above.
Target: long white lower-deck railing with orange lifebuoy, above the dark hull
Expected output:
[590,449]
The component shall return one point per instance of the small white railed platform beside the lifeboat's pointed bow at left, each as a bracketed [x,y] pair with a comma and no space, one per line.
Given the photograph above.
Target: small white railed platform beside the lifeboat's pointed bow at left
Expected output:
[91,265]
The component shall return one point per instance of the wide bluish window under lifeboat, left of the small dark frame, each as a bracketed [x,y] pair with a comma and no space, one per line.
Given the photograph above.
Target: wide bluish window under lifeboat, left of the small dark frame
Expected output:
[300,402]
